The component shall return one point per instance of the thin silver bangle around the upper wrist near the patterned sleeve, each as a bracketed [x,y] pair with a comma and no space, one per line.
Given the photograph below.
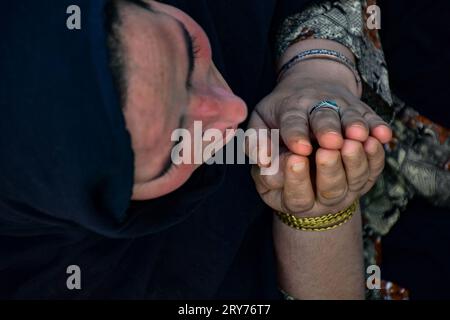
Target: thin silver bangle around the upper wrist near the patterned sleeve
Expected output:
[326,55]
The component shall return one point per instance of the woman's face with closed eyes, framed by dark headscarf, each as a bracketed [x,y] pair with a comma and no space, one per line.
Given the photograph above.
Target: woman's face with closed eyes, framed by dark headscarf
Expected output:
[171,82]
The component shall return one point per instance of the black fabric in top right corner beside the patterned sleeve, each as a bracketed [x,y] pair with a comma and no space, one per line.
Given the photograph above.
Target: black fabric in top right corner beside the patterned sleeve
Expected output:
[415,40]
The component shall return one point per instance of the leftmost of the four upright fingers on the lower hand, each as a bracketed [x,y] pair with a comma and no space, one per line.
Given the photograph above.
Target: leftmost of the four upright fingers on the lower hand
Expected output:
[298,195]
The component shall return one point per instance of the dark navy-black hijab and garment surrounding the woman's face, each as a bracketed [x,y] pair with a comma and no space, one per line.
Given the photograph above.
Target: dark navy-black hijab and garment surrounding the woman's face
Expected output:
[66,166]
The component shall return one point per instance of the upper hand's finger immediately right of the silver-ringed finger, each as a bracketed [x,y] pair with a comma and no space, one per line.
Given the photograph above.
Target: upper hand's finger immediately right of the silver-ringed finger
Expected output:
[354,124]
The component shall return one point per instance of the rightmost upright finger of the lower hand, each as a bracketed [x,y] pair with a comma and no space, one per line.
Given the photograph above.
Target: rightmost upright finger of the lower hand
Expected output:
[375,157]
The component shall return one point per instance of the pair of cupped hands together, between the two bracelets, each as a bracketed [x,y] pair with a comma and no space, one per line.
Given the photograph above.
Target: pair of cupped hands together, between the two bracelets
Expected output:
[349,156]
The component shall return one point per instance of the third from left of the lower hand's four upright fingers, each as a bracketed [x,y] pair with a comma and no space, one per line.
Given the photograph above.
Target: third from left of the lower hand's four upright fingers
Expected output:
[356,165]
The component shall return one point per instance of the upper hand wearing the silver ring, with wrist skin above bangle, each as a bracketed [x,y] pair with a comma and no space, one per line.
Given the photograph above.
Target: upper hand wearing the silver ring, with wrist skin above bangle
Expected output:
[305,84]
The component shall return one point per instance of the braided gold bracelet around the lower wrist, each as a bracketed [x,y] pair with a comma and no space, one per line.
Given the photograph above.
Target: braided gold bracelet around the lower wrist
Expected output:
[322,223]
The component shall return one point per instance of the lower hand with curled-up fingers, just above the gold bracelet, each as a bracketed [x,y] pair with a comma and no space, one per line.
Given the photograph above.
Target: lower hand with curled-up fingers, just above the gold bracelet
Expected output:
[340,178]
